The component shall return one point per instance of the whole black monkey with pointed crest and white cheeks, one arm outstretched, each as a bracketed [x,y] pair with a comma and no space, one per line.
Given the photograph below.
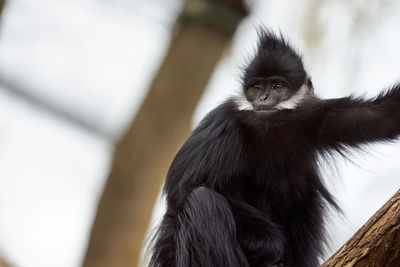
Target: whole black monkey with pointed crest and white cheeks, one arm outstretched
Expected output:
[245,190]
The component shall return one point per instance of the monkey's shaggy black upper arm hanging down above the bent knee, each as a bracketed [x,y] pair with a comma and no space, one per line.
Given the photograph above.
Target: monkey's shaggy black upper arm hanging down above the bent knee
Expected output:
[211,157]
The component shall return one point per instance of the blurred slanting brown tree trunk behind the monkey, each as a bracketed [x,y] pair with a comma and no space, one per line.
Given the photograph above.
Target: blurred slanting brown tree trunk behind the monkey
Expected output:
[144,153]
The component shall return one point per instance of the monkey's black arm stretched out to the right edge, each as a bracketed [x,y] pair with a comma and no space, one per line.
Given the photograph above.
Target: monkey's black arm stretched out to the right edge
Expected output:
[350,121]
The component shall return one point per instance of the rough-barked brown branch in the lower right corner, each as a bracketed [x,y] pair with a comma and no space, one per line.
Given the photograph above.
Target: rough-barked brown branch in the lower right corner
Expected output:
[377,243]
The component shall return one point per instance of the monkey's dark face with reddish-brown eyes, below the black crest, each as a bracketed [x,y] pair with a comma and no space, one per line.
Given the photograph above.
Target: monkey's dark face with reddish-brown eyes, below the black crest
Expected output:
[265,94]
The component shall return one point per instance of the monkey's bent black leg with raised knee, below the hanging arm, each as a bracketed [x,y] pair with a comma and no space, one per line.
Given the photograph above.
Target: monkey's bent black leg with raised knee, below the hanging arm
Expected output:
[206,232]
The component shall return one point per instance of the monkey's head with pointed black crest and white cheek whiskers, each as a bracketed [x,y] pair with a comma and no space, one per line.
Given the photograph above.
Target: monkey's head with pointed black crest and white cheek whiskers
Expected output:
[275,78]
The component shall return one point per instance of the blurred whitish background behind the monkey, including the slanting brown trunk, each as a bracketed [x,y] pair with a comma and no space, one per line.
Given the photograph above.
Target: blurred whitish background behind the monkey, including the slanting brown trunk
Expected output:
[96,97]
